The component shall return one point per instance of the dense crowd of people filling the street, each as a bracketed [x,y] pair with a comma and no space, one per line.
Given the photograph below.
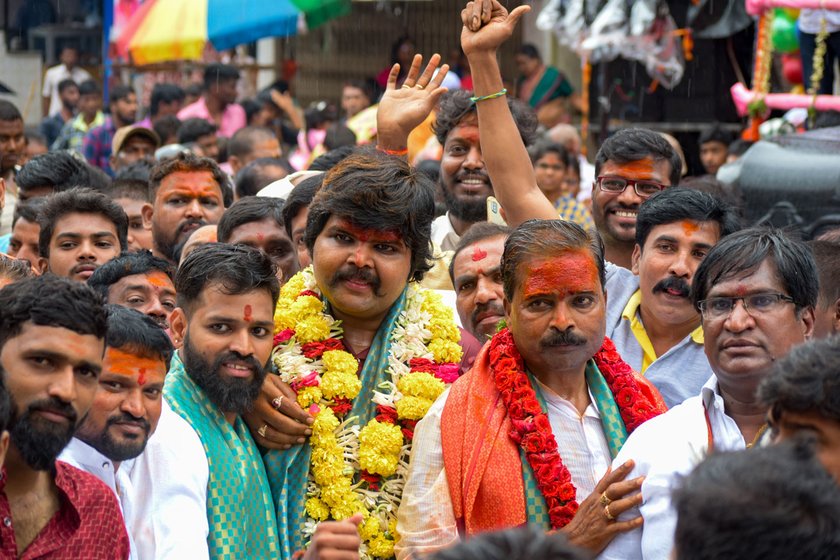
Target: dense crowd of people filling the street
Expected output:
[233,330]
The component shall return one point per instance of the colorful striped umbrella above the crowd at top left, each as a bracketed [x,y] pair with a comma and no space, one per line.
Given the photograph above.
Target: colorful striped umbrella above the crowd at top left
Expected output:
[164,30]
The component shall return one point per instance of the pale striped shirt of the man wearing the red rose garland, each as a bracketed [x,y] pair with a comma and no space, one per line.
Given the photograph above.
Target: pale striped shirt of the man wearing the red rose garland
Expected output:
[426,520]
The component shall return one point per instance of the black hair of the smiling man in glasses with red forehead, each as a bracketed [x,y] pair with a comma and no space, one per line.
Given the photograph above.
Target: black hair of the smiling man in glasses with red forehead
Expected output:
[634,144]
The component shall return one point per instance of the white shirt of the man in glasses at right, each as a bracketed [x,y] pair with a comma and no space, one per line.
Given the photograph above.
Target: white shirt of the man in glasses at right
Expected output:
[665,449]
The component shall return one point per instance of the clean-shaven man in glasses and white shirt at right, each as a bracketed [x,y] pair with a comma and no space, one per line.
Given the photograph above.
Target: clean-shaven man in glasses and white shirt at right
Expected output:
[756,291]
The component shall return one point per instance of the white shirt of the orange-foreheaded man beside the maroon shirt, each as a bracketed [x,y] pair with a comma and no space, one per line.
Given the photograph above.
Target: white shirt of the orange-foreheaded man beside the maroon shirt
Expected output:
[84,457]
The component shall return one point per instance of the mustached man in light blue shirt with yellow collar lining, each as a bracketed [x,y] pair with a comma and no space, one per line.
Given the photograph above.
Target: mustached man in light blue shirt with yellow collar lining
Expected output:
[650,316]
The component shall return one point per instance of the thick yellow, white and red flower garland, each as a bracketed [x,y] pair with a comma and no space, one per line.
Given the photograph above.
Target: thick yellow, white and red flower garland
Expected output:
[361,469]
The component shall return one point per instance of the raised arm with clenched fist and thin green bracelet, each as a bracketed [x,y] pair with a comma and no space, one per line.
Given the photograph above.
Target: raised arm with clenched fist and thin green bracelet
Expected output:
[487,24]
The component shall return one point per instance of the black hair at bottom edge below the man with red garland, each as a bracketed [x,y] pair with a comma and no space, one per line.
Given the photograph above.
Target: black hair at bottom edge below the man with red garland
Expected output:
[520,543]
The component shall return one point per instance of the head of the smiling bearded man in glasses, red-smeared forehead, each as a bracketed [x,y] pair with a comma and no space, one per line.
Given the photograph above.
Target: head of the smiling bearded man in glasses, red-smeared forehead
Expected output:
[631,165]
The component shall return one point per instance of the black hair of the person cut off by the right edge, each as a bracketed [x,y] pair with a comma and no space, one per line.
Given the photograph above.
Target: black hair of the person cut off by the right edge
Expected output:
[806,379]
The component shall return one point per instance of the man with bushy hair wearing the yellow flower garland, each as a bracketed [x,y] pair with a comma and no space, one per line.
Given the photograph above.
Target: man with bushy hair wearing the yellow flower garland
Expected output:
[364,349]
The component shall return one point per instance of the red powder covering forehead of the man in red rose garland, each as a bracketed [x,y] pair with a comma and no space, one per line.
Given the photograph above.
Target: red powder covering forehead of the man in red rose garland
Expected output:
[567,273]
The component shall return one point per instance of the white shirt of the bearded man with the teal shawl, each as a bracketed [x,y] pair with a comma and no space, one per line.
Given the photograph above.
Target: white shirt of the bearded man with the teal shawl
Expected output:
[170,482]
